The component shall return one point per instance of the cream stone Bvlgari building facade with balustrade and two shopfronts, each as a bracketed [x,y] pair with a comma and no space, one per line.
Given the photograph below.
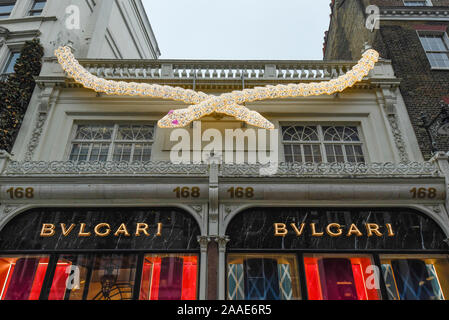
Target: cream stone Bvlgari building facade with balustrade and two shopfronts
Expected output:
[94,207]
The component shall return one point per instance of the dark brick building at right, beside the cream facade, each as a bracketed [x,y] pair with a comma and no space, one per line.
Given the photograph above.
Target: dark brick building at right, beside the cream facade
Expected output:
[413,35]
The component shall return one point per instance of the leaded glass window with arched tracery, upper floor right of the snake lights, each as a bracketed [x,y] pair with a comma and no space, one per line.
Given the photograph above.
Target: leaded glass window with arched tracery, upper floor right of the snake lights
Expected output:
[315,144]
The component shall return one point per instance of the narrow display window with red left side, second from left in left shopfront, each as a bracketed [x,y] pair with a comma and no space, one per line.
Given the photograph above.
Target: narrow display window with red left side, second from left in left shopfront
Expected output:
[70,278]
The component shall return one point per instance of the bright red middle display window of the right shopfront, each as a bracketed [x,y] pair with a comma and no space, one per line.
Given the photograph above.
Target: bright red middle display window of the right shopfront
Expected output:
[340,277]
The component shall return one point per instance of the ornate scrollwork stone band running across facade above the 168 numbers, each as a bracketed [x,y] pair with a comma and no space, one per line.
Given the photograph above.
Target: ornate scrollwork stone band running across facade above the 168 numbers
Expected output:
[165,168]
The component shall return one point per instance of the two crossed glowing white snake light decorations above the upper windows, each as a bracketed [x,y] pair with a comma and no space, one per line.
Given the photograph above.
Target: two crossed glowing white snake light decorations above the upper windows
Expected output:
[202,104]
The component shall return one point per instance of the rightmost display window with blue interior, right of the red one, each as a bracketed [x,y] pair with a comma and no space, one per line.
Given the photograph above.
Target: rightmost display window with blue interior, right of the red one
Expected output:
[413,277]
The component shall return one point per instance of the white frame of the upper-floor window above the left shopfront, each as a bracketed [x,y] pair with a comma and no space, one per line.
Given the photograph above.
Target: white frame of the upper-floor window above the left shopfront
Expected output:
[112,142]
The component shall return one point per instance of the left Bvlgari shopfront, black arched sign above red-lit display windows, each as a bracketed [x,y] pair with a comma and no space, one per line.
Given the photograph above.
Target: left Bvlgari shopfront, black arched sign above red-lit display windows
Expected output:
[100,254]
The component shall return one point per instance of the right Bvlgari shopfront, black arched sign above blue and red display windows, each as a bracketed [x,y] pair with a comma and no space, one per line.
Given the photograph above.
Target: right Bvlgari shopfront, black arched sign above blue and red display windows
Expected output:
[336,254]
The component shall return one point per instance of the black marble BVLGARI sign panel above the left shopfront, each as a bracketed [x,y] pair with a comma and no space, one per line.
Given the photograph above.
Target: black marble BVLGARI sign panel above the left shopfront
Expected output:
[101,229]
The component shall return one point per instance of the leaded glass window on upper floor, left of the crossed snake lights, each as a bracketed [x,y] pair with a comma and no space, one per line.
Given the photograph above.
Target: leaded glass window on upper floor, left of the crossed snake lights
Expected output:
[112,142]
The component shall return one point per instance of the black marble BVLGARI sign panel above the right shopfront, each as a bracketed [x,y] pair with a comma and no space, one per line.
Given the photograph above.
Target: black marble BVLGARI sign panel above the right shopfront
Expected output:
[336,229]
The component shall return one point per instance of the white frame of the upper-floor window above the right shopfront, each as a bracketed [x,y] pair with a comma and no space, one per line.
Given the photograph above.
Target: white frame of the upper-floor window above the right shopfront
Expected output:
[321,140]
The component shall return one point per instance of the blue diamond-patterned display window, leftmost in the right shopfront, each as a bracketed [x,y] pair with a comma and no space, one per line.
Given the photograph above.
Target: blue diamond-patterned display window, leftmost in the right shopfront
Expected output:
[263,277]
